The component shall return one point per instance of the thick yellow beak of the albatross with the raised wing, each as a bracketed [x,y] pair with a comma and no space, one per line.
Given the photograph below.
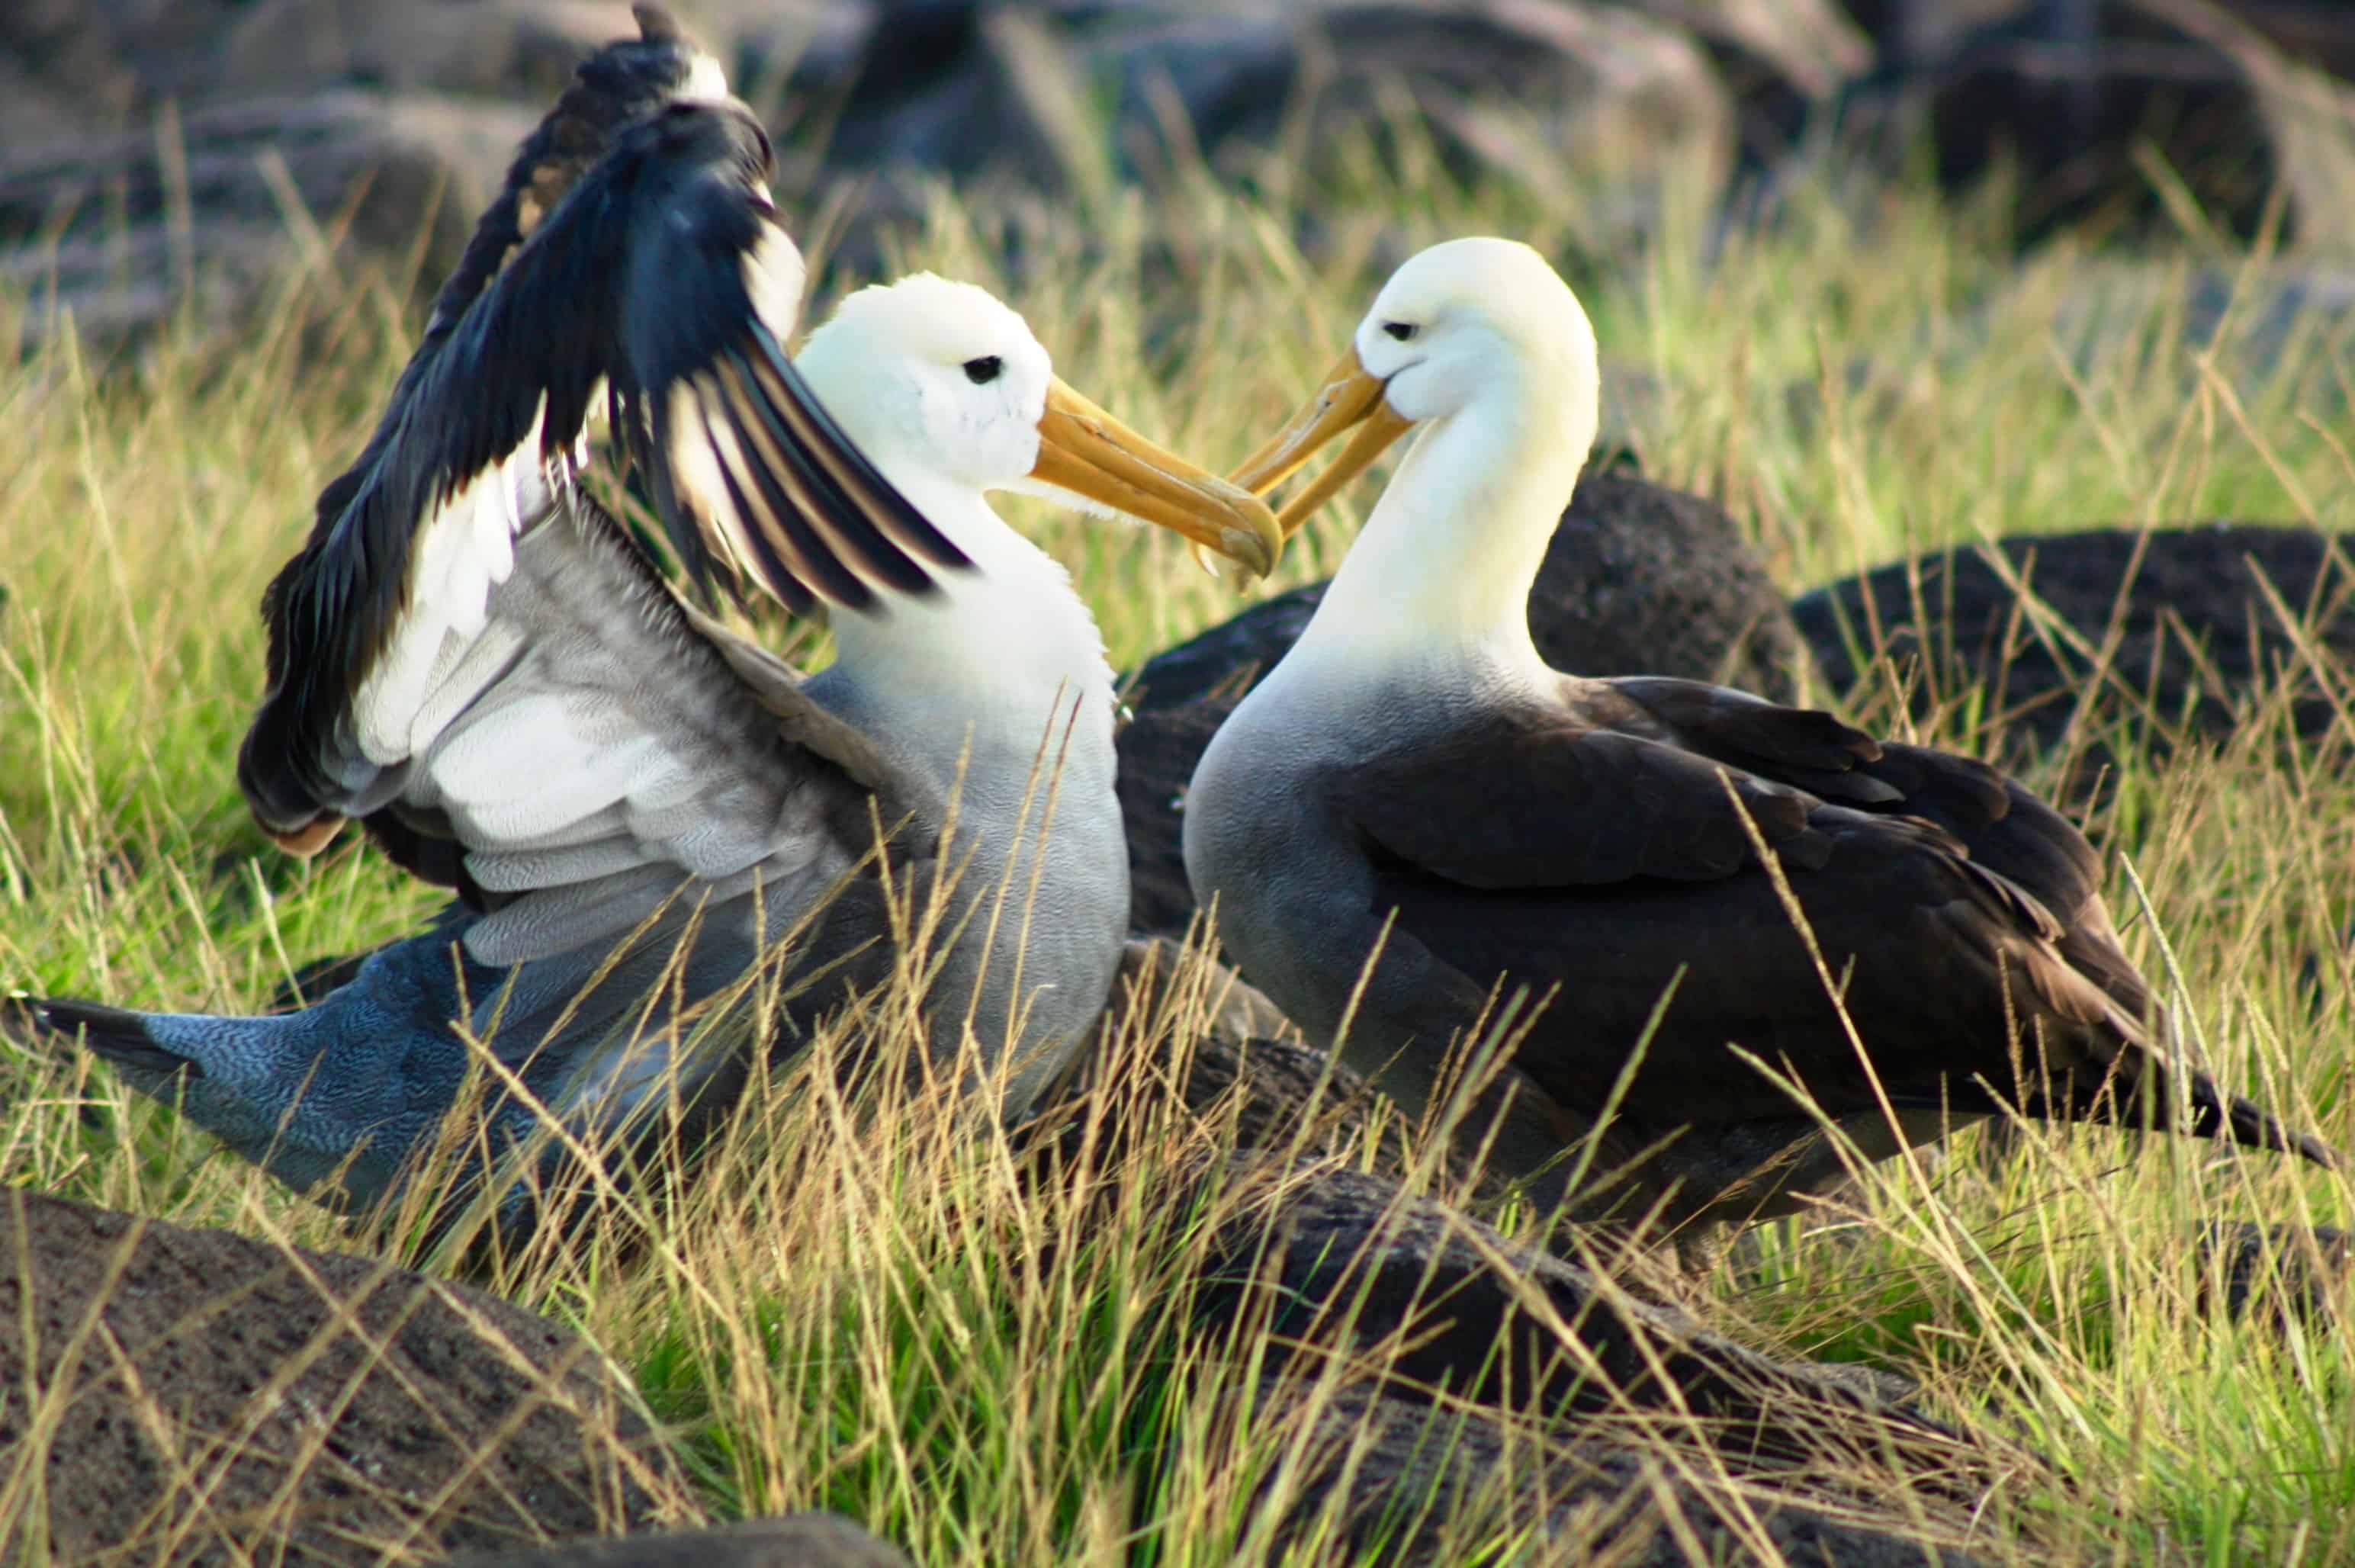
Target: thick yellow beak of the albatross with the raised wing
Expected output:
[1089,453]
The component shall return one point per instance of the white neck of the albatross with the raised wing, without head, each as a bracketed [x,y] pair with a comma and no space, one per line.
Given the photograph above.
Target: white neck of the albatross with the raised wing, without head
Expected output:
[990,660]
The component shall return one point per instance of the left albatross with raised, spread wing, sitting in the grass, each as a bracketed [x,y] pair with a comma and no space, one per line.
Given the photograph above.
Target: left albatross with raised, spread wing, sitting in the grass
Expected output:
[637,804]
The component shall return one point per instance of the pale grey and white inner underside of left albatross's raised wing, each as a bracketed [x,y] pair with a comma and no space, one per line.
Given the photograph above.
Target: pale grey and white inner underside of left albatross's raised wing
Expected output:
[599,755]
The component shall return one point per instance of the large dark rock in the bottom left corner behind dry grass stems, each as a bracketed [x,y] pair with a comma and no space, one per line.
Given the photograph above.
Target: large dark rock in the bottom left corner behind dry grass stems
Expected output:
[197,1388]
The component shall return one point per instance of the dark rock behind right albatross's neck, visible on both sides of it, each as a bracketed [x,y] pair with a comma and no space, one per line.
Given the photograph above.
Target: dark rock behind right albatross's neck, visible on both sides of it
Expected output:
[1640,580]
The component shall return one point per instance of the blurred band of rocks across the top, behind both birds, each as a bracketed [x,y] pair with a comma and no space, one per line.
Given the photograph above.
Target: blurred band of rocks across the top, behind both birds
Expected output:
[185,152]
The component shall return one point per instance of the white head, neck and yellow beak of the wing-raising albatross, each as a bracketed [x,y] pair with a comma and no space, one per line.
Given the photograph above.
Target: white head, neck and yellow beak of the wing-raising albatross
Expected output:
[950,397]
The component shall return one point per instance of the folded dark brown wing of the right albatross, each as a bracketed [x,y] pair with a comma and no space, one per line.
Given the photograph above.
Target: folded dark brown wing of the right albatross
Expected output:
[1596,844]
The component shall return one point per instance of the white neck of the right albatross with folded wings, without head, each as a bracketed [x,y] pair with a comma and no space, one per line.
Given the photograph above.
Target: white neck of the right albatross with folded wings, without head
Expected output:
[1442,571]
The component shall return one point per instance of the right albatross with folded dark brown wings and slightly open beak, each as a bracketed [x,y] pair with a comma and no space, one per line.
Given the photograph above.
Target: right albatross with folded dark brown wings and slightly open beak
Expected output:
[1414,762]
